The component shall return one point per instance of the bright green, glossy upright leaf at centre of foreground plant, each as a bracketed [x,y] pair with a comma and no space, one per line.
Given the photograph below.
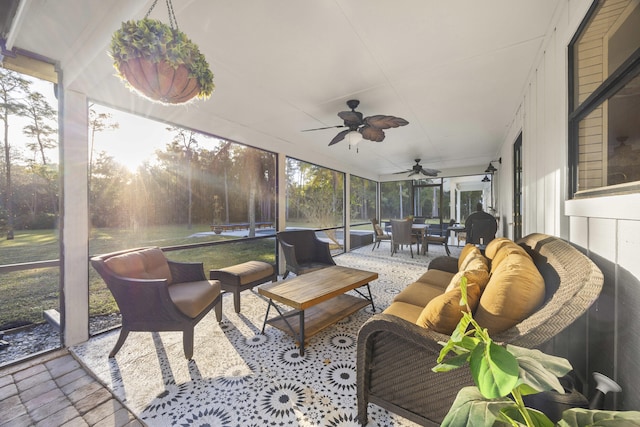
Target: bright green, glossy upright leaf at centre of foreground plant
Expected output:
[494,370]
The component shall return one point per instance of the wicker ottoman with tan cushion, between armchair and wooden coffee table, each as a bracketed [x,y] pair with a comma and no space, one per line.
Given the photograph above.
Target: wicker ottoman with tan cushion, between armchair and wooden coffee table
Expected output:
[240,277]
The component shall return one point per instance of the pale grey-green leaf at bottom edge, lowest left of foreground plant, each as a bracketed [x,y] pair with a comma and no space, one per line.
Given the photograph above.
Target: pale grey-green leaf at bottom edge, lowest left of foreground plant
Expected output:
[472,409]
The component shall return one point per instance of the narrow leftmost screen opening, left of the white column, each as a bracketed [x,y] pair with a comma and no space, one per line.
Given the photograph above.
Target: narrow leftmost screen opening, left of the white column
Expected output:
[29,204]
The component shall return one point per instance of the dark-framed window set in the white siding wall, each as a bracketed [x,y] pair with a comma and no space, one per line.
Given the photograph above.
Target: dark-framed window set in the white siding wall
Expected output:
[604,100]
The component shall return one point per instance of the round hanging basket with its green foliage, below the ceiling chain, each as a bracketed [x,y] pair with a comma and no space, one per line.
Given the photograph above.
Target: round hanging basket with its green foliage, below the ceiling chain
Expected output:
[160,62]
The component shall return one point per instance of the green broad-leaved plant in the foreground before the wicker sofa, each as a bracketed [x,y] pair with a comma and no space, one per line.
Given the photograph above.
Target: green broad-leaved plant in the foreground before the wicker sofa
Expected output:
[502,374]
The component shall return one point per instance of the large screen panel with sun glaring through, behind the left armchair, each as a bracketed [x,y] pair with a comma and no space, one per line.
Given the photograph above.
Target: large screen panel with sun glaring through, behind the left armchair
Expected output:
[155,184]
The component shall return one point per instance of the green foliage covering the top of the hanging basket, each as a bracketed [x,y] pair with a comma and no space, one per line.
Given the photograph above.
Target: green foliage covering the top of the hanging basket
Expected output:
[155,41]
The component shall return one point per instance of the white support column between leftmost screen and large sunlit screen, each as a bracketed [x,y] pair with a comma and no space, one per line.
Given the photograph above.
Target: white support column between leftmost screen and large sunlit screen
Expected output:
[74,218]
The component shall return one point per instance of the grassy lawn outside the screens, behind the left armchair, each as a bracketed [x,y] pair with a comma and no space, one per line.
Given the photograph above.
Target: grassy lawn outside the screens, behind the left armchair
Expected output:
[24,295]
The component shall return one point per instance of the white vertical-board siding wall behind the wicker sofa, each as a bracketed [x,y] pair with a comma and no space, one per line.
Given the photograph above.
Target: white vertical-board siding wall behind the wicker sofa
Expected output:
[607,227]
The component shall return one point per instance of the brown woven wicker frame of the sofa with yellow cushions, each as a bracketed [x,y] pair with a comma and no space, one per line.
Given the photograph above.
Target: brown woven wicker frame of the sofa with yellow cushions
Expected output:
[395,357]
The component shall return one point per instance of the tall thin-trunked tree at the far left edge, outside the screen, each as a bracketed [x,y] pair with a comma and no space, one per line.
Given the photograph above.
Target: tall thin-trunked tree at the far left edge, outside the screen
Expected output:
[12,86]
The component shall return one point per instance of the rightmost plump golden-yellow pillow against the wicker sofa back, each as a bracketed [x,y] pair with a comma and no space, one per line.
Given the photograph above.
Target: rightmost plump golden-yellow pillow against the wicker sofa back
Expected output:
[516,289]
